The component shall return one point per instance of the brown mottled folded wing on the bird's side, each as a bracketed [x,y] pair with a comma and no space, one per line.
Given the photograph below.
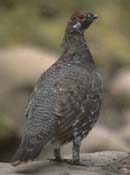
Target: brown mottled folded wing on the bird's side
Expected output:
[72,92]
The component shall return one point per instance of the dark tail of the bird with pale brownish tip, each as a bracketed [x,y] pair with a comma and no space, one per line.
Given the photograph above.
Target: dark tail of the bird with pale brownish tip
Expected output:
[29,149]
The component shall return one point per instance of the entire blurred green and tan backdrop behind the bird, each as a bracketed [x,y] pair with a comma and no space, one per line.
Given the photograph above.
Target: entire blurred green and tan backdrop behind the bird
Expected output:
[31,33]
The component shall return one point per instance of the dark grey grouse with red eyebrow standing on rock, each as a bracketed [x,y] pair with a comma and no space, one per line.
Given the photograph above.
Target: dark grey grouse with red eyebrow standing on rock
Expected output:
[65,103]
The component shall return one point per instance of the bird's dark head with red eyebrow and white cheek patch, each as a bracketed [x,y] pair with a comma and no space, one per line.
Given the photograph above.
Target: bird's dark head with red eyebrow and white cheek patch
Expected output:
[81,21]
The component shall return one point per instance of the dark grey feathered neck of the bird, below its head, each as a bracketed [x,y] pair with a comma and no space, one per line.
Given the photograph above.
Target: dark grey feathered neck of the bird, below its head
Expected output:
[75,43]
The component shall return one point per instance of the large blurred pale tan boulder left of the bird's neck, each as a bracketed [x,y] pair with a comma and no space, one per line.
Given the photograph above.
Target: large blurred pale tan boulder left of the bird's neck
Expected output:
[23,65]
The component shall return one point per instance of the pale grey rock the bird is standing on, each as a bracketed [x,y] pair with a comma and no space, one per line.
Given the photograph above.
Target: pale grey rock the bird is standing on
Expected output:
[100,163]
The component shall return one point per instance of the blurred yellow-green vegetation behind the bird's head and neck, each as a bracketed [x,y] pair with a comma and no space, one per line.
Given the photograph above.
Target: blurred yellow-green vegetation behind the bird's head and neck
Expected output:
[42,23]
